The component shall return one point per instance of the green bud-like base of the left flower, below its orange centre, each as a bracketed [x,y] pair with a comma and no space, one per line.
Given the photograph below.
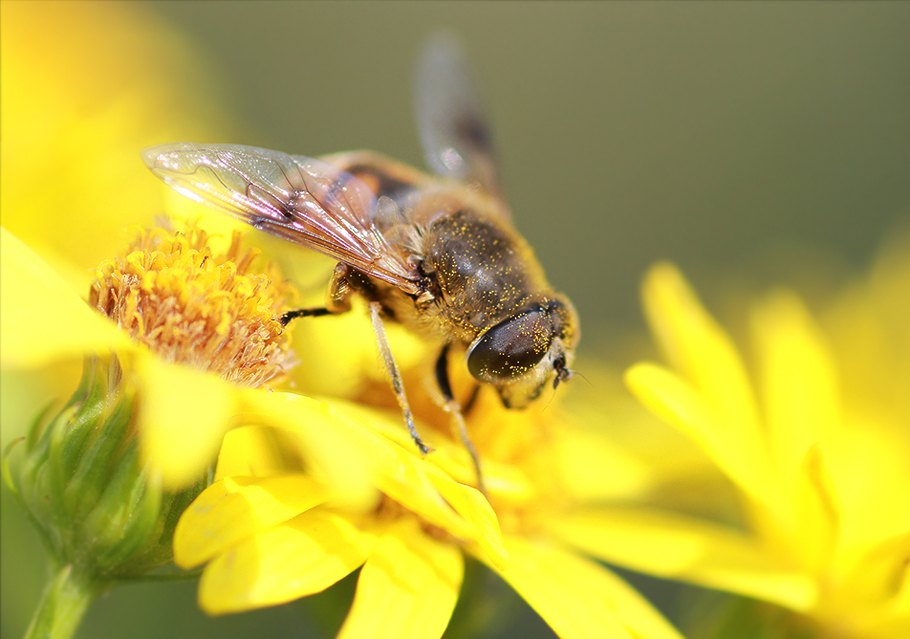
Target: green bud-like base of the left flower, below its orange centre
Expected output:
[80,478]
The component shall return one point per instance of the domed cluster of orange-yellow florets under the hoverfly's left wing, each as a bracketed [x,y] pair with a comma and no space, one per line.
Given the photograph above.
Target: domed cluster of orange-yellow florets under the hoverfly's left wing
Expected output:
[213,312]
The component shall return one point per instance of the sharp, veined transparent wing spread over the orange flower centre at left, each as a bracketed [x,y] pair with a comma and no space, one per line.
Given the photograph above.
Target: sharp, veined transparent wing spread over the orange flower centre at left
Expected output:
[300,199]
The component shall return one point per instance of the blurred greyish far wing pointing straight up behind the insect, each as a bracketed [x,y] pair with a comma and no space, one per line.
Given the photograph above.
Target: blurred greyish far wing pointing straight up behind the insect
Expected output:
[454,133]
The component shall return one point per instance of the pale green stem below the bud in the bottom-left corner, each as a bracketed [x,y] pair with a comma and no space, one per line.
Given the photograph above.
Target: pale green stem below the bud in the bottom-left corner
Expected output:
[64,602]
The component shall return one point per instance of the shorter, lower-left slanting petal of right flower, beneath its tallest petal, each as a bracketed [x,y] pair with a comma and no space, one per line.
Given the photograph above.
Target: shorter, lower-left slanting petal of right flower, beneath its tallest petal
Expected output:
[680,405]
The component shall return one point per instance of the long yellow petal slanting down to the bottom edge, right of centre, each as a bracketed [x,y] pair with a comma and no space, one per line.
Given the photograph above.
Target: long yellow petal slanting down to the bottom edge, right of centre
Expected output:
[569,592]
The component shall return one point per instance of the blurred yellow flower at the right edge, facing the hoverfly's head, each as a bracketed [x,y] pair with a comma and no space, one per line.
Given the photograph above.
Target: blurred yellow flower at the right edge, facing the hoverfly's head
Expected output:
[814,439]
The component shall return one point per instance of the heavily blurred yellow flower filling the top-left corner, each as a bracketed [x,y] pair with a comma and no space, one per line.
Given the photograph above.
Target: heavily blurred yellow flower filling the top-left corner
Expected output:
[84,87]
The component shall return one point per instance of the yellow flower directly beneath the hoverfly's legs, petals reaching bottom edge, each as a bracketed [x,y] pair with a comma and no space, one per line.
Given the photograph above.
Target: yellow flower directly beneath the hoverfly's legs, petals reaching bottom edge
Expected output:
[269,533]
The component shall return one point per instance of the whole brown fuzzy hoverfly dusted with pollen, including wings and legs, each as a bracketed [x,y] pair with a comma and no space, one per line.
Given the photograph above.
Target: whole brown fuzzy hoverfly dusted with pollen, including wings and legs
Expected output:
[436,253]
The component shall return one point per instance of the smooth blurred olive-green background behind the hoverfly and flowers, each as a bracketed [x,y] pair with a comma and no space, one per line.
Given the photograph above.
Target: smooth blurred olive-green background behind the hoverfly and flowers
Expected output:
[712,134]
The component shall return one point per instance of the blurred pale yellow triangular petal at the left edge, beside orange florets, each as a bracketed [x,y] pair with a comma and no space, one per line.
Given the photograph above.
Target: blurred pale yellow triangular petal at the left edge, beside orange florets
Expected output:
[43,319]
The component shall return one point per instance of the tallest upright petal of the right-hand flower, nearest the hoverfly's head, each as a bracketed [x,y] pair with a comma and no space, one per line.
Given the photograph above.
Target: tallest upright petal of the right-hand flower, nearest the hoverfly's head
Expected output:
[705,356]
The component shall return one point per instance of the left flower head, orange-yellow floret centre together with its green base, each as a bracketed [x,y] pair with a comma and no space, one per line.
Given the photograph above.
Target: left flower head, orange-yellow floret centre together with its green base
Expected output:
[101,509]
